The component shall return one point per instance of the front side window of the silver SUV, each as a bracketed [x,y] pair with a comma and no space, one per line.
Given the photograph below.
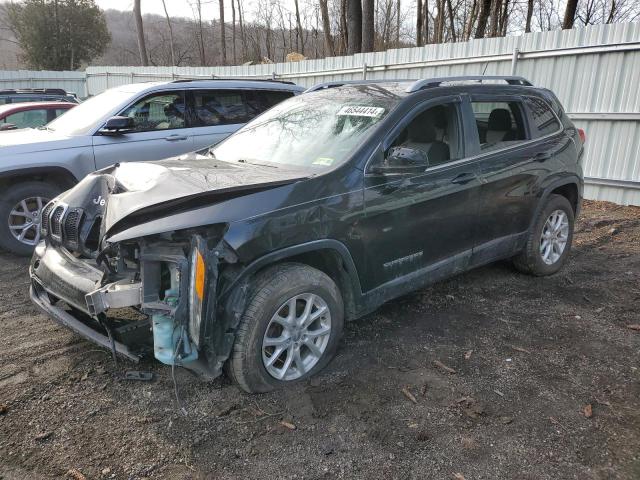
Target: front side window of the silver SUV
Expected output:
[159,111]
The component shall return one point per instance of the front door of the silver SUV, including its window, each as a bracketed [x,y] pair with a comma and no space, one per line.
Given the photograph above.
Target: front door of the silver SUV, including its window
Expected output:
[161,131]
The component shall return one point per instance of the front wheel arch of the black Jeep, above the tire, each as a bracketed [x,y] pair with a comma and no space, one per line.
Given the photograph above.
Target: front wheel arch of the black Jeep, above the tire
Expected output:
[329,256]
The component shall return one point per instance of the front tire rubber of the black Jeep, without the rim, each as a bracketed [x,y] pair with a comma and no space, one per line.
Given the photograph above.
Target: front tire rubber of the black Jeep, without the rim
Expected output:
[267,294]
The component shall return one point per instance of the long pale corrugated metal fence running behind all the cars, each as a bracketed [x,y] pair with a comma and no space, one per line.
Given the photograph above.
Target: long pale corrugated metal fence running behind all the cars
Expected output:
[595,71]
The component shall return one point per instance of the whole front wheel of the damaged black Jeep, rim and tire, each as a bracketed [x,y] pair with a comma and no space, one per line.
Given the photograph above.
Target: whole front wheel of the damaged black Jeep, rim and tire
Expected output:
[290,328]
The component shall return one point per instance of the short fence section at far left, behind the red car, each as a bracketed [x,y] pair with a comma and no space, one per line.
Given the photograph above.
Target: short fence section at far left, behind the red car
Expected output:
[70,81]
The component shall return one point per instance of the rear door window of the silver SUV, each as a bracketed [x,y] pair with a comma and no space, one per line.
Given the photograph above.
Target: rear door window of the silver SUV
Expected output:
[218,107]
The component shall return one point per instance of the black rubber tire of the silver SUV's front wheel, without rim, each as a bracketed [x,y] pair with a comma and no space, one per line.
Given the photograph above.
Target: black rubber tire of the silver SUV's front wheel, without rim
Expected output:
[11,197]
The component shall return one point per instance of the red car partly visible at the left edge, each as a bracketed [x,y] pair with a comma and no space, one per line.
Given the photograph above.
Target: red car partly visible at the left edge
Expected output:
[30,114]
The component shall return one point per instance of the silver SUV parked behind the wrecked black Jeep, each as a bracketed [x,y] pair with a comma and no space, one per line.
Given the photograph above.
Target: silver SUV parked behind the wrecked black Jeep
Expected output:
[141,122]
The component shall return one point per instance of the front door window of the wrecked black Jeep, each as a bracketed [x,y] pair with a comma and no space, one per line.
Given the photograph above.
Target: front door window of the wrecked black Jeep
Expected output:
[434,131]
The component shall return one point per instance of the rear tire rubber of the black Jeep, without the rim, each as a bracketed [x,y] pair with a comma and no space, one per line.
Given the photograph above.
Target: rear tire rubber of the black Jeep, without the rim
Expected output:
[530,260]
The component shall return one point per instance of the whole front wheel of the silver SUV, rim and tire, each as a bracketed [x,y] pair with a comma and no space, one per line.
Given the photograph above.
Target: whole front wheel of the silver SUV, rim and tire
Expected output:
[13,211]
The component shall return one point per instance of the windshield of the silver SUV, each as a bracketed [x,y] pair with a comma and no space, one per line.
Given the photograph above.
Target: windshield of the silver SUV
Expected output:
[82,119]
